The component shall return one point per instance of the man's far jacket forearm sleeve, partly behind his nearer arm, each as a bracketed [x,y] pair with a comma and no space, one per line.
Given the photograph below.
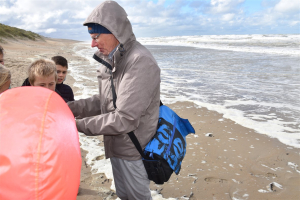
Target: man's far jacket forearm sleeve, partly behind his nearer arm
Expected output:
[85,107]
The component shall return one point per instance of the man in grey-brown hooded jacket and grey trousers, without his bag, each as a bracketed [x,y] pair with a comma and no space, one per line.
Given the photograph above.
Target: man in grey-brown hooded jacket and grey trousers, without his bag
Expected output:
[135,75]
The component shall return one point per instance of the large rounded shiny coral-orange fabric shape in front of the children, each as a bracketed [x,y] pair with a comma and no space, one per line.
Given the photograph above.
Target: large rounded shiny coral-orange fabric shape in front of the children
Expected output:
[39,146]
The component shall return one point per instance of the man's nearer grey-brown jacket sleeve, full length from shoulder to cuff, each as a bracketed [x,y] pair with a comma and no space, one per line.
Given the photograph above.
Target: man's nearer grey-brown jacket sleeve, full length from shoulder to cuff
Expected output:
[139,85]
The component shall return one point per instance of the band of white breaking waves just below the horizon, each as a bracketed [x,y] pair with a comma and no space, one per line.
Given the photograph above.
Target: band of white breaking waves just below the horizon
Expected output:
[246,43]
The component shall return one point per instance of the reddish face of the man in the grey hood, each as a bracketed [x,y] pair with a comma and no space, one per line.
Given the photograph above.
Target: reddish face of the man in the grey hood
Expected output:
[104,42]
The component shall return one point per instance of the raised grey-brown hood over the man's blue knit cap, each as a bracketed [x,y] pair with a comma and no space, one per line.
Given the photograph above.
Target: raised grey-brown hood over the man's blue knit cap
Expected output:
[113,17]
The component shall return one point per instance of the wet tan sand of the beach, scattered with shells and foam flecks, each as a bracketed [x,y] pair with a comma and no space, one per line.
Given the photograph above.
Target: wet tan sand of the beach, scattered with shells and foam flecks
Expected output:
[224,160]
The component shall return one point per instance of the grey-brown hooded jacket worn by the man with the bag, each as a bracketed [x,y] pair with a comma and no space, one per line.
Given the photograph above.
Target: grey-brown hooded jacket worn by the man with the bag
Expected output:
[136,77]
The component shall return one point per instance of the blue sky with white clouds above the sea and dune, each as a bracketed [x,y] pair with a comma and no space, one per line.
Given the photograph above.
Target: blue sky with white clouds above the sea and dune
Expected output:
[155,18]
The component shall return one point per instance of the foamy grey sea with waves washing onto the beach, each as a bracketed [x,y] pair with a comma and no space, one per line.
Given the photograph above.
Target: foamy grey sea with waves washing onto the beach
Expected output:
[253,80]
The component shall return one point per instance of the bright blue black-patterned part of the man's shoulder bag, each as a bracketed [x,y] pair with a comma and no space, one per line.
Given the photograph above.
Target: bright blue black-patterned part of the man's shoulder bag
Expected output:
[169,141]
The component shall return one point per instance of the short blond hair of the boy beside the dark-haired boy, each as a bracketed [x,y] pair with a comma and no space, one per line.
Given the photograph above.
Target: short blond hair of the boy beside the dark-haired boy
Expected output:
[41,67]
